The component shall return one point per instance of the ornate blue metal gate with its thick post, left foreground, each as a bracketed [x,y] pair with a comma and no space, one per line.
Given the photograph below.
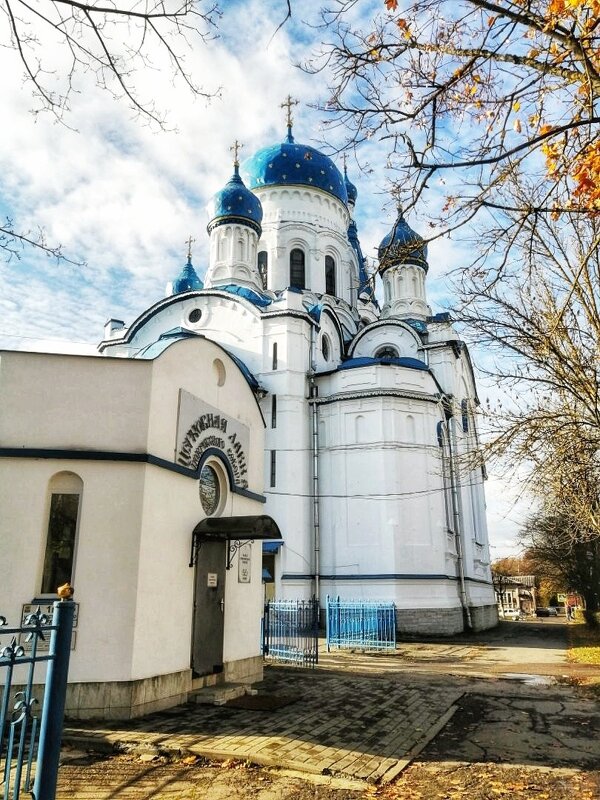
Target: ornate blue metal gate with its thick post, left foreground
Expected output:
[30,737]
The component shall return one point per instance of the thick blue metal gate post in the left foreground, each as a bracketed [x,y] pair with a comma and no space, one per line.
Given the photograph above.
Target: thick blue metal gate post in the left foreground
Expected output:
[46,774]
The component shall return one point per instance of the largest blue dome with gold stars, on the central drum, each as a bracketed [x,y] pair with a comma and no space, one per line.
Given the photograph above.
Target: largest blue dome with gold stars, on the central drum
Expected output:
[292,164]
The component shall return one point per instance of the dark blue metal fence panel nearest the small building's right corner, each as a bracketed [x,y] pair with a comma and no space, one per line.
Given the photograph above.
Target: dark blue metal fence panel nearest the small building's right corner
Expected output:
[291,632]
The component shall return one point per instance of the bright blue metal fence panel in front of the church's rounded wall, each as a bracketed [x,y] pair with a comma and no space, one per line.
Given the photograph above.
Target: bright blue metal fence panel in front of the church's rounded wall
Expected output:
[360,624]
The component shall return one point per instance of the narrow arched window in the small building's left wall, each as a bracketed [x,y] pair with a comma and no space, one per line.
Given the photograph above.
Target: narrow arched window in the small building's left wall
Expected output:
[65,491]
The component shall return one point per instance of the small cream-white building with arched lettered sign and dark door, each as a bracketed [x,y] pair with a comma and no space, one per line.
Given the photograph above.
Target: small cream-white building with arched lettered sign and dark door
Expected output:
[108,468]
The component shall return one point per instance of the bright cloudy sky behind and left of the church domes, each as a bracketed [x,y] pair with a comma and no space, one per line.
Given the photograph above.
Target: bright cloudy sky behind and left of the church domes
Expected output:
[122,196]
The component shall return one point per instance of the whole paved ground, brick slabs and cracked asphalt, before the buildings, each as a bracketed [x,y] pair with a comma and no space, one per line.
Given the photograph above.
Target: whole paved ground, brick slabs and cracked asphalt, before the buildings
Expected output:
[366,716]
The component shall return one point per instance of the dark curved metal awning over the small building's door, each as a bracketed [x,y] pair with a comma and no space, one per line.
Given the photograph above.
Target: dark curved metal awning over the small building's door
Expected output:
[234,531]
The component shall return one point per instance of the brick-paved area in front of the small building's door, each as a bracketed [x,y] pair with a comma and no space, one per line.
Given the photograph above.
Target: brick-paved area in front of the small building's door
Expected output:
[346,725]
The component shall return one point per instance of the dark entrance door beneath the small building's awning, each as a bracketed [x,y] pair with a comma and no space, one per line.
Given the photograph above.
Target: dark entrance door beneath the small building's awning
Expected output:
[209,609]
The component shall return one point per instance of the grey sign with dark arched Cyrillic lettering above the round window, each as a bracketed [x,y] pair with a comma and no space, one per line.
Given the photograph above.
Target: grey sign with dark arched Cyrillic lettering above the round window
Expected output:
[200,427]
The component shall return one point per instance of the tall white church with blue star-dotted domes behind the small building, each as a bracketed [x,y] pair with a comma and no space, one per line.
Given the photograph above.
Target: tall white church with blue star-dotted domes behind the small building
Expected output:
[369,410]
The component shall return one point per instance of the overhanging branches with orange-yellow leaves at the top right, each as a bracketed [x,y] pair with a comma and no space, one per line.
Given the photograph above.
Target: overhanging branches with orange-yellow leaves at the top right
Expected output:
[471,94]
